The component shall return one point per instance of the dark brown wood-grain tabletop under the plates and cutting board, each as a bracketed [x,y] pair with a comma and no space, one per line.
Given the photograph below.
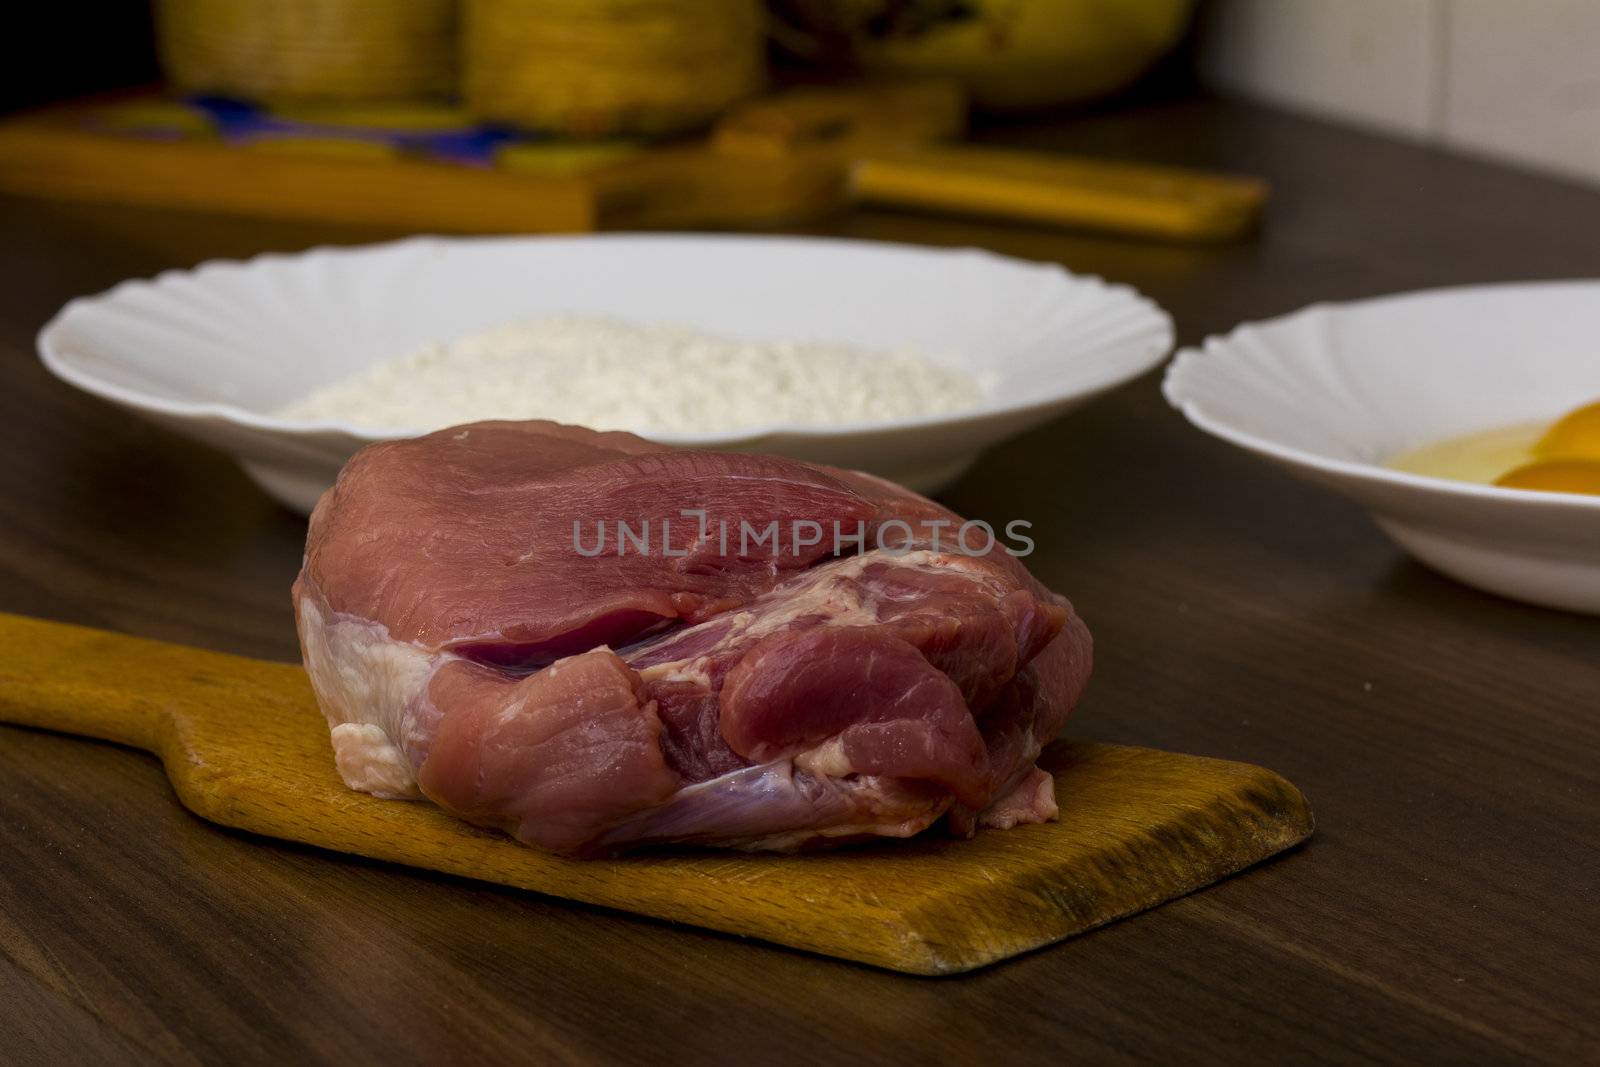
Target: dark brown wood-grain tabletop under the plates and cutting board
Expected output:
[1446,911]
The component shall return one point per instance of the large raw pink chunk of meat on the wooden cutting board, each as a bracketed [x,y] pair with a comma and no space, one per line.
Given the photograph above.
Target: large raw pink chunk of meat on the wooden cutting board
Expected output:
[473,642]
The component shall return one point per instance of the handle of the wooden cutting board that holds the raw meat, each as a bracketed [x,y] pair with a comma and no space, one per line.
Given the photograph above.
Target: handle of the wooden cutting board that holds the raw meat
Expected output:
[89,682]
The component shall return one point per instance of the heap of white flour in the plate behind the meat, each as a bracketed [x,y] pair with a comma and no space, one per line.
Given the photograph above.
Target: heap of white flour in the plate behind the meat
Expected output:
[618,377]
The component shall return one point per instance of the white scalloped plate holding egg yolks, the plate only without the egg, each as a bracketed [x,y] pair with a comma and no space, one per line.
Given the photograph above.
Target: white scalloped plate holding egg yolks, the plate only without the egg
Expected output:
[1335,391]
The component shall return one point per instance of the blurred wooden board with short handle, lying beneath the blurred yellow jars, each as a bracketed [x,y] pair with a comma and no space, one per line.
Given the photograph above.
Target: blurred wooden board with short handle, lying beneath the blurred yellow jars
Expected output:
[785,159]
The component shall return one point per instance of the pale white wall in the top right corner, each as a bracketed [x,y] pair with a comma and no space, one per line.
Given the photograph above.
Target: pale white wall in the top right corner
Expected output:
[1514,79]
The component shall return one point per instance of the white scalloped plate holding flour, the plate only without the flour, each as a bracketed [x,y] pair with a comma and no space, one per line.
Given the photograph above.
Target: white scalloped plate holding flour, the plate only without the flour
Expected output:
[215,351]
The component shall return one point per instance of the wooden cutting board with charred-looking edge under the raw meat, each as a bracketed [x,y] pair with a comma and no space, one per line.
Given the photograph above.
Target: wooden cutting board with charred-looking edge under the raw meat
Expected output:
[246,746]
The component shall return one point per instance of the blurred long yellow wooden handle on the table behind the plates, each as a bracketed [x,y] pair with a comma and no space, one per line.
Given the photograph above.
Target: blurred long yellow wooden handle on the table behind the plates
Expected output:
[1066,191]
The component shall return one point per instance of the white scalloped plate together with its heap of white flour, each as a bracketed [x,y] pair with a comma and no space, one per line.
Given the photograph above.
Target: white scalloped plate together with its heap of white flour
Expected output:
[900,361]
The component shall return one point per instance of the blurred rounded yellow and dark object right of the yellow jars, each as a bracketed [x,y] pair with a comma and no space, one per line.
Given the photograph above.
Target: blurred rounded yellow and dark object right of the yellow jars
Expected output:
[1014,55]
